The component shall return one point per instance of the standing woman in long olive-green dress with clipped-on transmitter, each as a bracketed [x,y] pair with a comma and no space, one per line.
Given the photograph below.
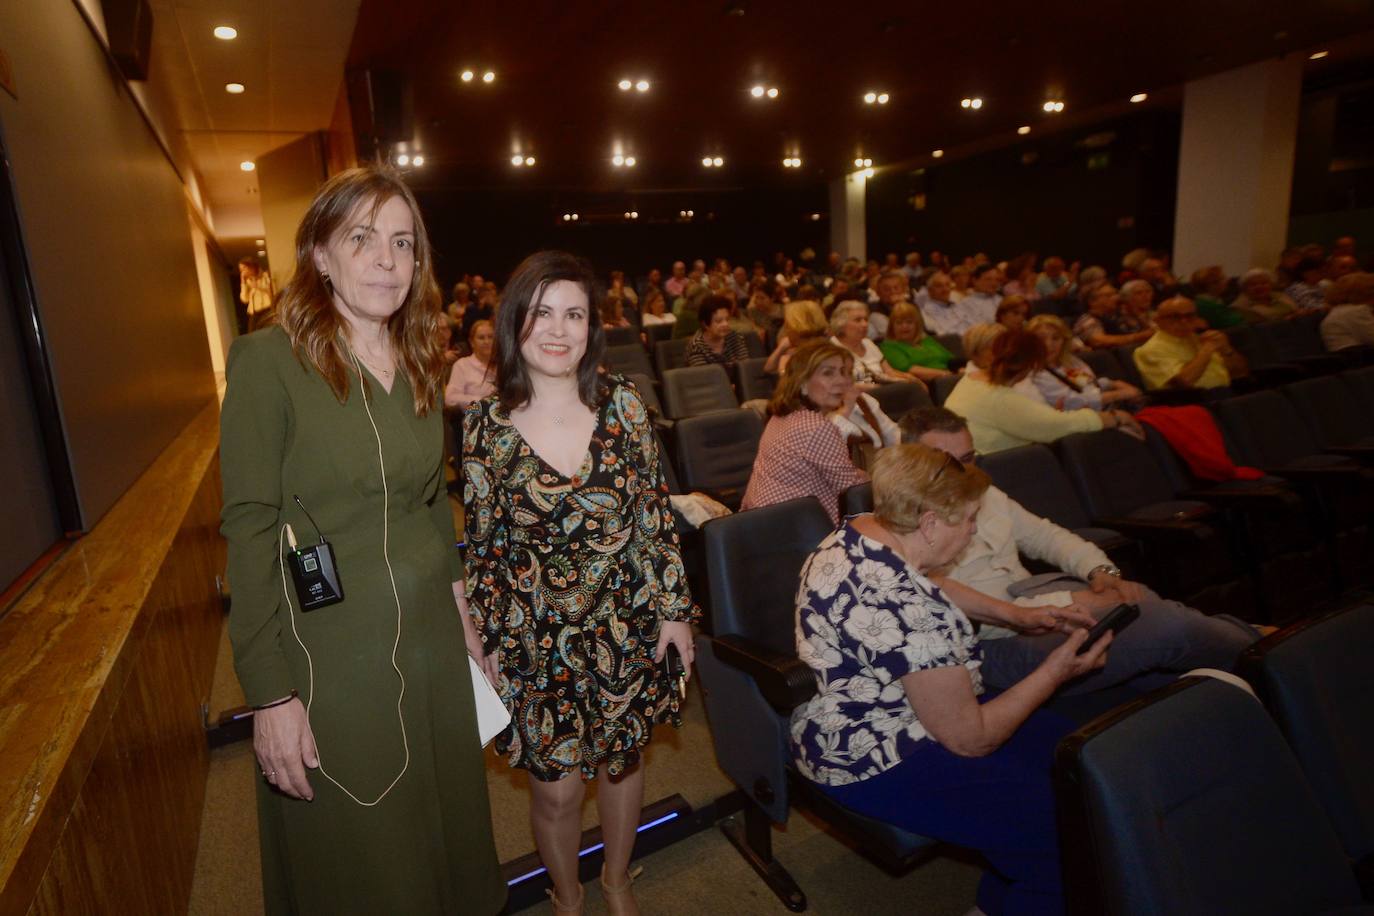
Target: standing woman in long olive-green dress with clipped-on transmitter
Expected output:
[373,797]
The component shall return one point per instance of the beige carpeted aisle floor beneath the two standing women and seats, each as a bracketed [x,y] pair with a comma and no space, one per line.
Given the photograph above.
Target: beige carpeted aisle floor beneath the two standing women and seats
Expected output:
[703,874]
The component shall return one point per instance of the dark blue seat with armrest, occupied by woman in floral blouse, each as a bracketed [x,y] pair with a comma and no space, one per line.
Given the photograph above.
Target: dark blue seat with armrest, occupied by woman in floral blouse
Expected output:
[752,680]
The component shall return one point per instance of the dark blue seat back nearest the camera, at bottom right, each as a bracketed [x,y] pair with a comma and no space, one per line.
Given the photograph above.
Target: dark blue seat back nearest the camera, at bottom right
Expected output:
[1189,803]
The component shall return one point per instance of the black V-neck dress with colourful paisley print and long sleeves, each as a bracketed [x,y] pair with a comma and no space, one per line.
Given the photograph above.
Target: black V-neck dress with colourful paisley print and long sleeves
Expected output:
[568,580]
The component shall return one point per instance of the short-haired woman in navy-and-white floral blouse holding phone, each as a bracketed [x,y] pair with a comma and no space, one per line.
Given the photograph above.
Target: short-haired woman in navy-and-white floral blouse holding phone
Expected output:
[901,729]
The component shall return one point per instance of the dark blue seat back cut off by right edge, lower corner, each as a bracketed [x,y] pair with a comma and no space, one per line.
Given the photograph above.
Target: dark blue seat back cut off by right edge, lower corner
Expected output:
[1318,683]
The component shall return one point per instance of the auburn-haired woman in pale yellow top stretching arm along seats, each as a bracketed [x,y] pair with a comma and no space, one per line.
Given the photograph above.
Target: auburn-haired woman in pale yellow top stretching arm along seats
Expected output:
[1004,417]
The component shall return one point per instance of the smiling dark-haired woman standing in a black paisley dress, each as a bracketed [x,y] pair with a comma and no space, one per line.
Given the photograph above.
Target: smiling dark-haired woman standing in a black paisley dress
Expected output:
[575,575]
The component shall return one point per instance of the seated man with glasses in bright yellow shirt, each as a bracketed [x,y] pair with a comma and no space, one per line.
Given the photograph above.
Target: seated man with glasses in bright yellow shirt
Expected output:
[1185,355]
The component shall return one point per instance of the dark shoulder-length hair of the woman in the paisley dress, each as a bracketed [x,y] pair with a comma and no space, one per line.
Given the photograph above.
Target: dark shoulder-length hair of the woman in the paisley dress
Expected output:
[521,296]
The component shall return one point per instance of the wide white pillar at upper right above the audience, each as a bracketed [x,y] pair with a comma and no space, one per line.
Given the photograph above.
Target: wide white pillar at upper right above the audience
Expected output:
[1236,167]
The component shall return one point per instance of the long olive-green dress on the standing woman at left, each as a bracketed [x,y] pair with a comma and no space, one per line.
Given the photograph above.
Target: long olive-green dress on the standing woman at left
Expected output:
[427,848]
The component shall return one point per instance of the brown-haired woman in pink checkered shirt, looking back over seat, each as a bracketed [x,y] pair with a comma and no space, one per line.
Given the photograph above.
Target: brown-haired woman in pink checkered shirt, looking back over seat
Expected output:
[803,453]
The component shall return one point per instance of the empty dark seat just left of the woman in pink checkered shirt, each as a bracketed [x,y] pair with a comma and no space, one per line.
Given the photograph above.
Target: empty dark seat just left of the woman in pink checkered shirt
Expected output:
[715,454]
